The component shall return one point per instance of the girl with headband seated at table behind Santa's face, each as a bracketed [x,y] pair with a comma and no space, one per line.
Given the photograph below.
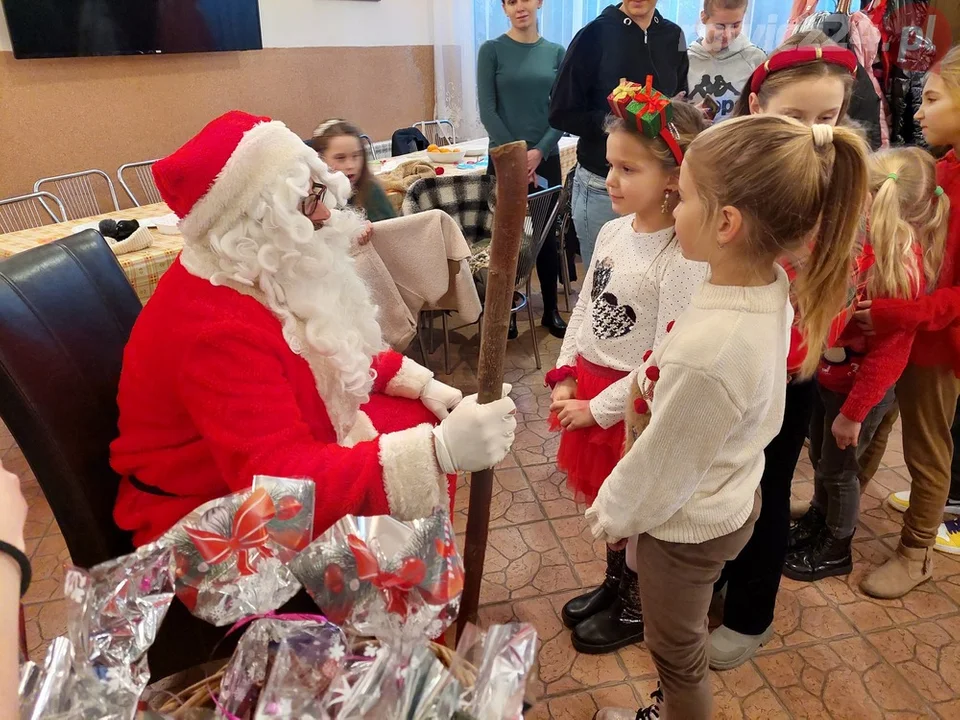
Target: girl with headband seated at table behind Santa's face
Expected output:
[339,145]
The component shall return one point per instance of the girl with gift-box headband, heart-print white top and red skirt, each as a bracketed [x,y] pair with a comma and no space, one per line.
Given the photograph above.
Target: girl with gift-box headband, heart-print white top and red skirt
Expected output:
[638,283]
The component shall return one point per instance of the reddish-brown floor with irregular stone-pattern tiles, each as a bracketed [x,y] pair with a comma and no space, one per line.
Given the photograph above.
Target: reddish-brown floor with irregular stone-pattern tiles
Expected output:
[836,653]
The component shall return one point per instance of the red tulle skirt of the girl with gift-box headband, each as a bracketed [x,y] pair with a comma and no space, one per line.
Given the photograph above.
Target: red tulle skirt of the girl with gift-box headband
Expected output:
[589,455]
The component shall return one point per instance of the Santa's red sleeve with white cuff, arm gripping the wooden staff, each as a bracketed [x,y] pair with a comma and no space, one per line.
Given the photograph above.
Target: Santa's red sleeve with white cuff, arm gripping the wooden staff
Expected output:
[235,389]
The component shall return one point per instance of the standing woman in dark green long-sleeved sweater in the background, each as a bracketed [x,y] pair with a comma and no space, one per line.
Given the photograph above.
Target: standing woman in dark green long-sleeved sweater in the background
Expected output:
[515,74]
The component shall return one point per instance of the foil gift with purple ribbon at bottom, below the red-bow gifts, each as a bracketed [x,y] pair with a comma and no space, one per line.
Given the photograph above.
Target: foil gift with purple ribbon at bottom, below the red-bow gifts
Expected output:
[298,651]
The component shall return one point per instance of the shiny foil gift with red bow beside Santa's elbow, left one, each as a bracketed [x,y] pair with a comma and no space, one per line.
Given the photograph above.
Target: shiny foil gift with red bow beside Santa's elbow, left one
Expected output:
[231,554]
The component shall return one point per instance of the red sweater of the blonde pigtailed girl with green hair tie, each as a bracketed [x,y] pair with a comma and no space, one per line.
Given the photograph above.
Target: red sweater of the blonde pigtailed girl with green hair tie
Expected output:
[878,361]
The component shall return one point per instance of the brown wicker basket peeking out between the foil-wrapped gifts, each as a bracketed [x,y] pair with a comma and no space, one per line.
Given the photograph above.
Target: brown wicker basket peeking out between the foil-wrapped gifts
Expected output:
[184,693]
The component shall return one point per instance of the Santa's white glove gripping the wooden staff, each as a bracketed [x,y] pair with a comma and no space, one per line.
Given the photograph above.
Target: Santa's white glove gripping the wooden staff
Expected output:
[475,437]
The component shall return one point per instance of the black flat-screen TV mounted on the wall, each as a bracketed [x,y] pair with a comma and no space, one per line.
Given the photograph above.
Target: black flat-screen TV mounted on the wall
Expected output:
[80,28]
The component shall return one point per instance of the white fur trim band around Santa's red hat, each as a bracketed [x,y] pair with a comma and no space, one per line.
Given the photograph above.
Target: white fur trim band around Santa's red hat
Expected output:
[264,153]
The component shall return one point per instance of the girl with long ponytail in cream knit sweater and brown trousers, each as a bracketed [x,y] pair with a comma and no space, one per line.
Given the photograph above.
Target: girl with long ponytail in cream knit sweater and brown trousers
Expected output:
[750,189]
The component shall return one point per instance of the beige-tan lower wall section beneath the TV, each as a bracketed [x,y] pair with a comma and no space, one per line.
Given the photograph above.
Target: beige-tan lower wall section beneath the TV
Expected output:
[58,116]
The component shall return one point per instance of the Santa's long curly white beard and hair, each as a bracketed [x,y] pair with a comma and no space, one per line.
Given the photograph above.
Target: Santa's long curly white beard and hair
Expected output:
[307,278]
